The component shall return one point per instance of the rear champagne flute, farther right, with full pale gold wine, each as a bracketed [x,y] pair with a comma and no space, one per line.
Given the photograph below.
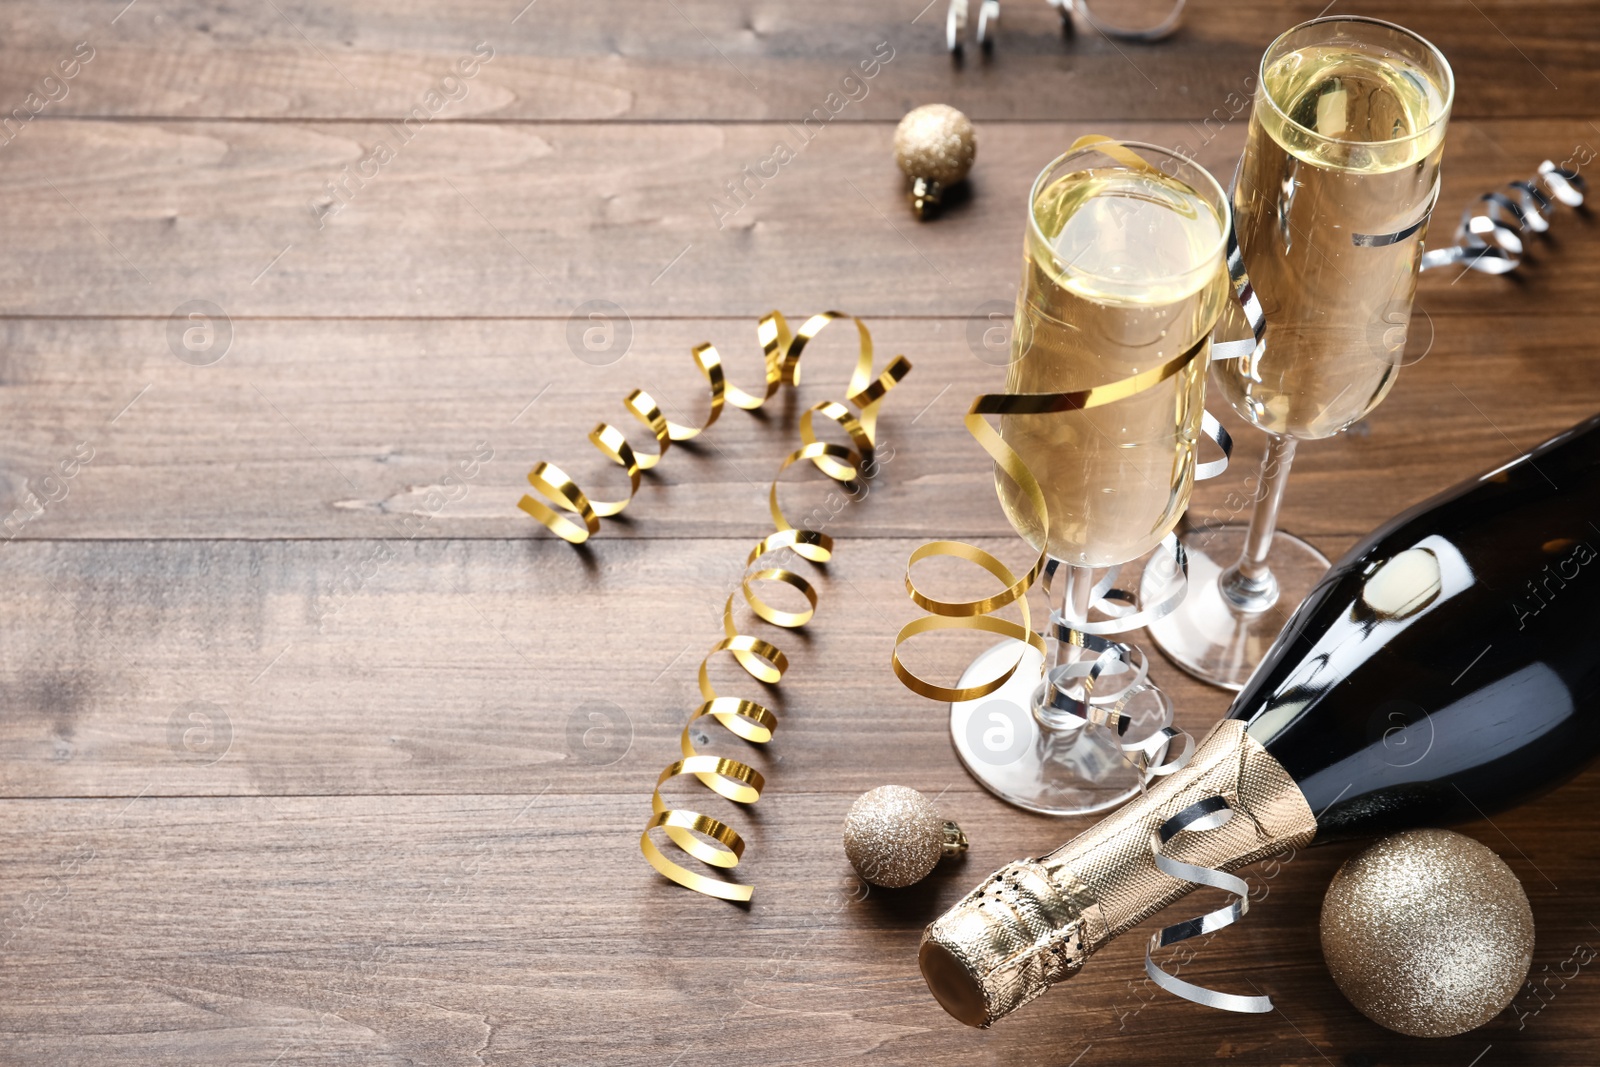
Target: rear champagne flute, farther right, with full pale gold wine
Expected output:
[1332,206]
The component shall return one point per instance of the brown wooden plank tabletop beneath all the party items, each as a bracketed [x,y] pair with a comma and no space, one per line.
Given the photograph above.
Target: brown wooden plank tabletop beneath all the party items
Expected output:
[316,749]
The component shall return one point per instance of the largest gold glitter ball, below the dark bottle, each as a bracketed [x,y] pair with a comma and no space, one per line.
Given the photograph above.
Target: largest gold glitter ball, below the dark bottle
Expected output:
[1428,933]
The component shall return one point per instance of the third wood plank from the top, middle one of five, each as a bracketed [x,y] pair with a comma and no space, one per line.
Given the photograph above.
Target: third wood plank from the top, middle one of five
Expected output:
[362,430]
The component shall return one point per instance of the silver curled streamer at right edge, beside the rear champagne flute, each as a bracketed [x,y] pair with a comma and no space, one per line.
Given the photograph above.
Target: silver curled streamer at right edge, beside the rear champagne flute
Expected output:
[1490,238]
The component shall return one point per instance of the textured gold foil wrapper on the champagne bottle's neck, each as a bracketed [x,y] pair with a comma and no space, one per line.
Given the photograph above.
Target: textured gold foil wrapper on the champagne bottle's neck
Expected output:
[1036,922]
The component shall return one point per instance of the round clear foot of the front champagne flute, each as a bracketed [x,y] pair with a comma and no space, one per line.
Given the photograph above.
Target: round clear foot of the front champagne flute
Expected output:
[1002,745]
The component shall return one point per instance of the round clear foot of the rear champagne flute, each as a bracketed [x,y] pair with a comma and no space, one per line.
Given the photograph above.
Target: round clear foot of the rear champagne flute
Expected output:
[1207,636]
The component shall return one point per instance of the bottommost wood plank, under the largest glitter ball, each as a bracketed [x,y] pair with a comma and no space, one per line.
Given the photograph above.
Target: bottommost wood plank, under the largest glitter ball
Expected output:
[473,929]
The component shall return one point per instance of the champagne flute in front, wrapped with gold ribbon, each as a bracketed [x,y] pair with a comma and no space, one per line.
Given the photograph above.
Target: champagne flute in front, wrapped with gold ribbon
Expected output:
[1124,274]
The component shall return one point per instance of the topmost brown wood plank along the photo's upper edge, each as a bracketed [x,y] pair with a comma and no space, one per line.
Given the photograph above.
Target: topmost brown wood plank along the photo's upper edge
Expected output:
[567,60]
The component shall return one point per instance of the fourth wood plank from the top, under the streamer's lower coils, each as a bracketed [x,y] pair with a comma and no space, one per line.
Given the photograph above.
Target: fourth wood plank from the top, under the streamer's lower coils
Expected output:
[329,668]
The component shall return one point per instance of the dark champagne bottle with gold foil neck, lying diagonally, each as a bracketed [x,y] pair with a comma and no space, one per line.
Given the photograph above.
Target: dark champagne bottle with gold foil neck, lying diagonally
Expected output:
[1446,669]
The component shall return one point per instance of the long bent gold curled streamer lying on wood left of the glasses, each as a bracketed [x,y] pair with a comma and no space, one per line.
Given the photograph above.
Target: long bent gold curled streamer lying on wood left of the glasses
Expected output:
[761,660]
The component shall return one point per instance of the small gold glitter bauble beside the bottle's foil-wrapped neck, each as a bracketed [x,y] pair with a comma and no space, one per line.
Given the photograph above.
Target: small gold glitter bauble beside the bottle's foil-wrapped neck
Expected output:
[895,836]
